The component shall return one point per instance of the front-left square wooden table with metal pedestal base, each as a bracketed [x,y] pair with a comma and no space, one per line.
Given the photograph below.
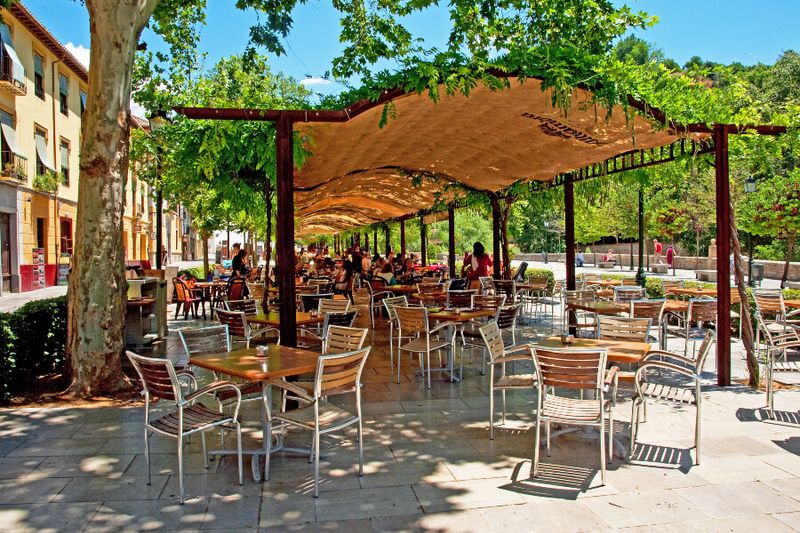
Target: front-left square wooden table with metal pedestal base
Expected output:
[282,362]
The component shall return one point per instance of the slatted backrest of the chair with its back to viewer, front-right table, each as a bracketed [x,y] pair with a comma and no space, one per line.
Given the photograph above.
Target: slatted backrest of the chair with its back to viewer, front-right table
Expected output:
[570,368]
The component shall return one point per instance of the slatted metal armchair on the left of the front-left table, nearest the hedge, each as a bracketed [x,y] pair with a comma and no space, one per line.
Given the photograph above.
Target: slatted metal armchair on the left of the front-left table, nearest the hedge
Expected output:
[160,381]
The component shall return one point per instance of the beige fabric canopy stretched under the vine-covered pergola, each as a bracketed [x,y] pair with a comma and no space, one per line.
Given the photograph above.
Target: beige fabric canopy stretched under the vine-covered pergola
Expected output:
[359,173]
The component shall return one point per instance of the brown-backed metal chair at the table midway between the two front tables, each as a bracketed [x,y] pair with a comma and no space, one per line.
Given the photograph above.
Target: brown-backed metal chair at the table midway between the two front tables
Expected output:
[414,321]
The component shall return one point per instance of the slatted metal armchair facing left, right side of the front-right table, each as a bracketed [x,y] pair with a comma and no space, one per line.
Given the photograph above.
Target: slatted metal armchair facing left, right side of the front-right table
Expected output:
[659,387]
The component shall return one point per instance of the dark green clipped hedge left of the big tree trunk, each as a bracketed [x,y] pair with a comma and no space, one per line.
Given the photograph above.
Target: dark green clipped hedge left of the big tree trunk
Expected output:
[32,344]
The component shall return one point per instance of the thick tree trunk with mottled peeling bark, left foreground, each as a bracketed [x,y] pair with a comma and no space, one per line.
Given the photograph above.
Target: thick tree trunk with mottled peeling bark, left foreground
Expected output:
[97,284]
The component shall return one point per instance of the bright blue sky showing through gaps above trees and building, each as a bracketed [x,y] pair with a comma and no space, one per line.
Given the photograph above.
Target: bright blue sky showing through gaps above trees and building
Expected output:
[725,31]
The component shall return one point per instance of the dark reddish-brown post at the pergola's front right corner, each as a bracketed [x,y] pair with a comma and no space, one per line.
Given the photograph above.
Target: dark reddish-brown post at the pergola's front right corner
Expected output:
[723,255]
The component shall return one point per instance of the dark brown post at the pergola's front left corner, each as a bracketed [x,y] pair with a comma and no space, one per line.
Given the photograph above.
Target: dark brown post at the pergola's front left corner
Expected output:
[284,242]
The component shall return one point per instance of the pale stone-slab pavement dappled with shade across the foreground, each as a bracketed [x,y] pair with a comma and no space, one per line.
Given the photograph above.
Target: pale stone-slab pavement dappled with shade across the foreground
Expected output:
[430,466]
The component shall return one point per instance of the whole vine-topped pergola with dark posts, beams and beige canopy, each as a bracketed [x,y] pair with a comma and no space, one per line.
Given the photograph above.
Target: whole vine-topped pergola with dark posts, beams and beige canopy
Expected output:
[359,173]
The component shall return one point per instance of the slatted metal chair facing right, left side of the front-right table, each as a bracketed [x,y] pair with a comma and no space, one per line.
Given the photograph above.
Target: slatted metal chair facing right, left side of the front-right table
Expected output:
[499,355]
